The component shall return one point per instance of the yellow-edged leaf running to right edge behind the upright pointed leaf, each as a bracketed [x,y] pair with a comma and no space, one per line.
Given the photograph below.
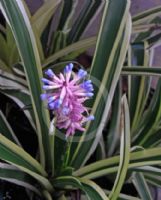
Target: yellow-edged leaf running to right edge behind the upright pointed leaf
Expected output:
[110,165]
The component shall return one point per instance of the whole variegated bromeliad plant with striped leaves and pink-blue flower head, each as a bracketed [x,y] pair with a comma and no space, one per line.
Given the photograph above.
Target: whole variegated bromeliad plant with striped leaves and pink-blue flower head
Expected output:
[62,169]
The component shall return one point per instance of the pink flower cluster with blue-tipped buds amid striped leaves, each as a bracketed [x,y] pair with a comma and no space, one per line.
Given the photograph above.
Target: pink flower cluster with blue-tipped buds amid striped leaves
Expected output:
[66,94]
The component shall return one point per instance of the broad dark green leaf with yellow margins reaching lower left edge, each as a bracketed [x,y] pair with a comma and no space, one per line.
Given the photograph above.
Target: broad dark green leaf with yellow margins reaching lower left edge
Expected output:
[16,156]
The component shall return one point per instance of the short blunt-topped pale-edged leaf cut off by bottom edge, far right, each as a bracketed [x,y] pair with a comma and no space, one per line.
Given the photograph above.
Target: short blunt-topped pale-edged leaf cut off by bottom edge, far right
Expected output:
[141,186]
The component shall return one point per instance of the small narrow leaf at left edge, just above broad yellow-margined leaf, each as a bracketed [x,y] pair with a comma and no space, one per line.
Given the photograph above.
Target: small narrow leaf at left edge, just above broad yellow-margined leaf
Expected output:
[6,129]
